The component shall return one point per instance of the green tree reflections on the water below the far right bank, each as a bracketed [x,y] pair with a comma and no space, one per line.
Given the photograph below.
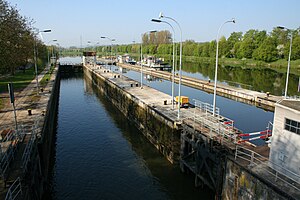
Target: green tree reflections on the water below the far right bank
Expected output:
[258,79]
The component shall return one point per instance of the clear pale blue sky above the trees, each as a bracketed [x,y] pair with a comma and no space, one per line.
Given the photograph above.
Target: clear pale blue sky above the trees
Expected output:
[75,22]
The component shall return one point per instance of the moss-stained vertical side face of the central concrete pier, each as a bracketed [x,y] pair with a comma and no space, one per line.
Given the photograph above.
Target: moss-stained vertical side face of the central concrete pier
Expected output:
[159,130]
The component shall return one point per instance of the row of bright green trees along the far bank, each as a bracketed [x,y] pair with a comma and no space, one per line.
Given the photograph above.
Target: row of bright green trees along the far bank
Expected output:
[254,44]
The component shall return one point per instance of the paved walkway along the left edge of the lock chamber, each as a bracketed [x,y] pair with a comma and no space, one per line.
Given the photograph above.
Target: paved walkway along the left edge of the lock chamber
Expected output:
[13,159]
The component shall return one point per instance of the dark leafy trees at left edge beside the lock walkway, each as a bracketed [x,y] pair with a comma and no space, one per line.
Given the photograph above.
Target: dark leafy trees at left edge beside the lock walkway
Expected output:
[17,40]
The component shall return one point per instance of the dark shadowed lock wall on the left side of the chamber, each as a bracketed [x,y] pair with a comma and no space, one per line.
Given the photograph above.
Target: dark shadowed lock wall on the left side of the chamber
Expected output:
[37,181]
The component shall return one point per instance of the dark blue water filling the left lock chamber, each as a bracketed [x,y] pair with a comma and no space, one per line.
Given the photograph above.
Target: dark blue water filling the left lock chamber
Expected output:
[100,155]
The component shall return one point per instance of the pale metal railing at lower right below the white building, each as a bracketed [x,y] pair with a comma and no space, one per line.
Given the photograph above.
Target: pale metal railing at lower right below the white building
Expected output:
[255,159]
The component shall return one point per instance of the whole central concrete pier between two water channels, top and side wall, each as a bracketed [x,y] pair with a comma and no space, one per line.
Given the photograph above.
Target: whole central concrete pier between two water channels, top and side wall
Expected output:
[204,145]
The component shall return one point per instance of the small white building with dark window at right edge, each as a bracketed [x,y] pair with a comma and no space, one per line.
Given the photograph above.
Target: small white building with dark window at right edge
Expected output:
[285,146]
